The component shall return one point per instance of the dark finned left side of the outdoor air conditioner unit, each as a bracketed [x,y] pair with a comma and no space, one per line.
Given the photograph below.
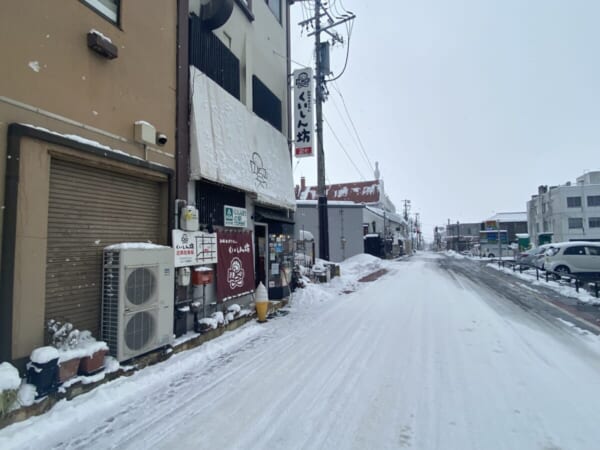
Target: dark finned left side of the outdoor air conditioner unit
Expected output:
[110,300]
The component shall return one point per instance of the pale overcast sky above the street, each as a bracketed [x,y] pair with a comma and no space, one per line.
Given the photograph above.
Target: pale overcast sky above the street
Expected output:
[468,105]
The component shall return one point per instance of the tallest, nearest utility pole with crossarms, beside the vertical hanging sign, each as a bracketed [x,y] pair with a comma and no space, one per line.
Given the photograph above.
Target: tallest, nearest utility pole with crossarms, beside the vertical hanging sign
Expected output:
[322,50]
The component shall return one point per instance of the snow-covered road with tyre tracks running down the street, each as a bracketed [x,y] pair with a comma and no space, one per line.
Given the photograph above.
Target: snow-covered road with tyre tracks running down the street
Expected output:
[422,358]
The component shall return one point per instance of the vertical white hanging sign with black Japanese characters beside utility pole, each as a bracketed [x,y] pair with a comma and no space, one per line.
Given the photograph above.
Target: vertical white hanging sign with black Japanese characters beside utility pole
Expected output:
[303,113]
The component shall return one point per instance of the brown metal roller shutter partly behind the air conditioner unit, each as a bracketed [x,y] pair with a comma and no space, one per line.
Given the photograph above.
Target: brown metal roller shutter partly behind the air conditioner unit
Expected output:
[90,208]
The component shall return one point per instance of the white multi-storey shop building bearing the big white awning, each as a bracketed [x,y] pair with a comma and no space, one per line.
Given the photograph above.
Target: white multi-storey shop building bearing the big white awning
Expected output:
[239,130]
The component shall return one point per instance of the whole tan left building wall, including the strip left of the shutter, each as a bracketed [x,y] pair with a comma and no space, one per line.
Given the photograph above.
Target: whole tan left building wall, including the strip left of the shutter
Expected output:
[51,79]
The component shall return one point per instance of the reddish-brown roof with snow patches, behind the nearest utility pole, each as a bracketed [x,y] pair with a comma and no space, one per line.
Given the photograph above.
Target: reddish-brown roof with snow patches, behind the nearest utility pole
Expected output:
[358,192]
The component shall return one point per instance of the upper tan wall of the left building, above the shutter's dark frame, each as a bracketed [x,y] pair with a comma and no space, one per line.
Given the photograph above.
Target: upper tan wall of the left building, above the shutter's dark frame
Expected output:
[50,78]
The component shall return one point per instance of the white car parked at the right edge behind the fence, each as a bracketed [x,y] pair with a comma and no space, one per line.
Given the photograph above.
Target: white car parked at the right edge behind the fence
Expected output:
[573,257]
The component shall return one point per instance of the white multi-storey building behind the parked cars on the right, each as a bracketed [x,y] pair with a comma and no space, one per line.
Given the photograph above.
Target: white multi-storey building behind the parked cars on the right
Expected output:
[568,212]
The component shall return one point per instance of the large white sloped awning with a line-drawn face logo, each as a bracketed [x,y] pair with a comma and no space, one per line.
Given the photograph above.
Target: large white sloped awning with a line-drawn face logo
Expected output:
[232,146]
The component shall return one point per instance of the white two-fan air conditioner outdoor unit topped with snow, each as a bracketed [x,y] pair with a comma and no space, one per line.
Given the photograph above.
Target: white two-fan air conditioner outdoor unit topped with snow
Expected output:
[137,299]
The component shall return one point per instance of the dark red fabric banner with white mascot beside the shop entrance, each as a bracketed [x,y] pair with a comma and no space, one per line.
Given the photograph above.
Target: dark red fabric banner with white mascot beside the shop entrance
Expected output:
[235,267]
